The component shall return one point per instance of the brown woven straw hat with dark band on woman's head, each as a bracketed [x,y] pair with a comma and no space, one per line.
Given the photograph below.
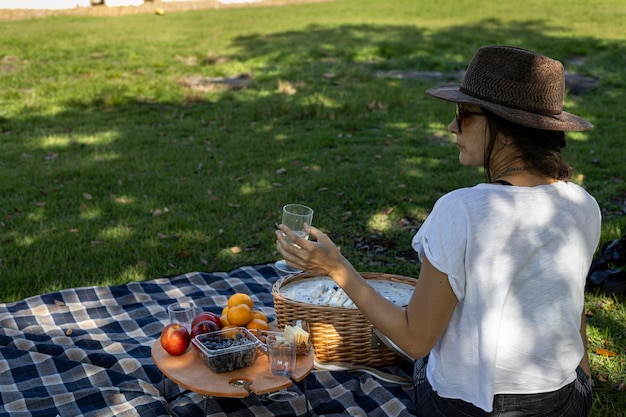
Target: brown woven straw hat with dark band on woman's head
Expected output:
[518,85]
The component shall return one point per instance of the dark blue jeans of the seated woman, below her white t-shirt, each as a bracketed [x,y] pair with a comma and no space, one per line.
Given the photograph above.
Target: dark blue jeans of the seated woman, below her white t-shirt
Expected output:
[573,400]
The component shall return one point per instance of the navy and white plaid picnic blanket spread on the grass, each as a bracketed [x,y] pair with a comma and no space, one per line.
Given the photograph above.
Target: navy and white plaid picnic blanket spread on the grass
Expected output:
[87,352]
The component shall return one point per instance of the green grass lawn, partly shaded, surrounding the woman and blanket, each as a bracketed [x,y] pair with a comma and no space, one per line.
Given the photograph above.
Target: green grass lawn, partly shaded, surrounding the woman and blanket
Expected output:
[120,161]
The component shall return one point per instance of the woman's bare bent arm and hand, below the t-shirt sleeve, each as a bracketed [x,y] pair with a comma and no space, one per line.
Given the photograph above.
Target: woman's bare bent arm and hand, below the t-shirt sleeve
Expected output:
[415,329]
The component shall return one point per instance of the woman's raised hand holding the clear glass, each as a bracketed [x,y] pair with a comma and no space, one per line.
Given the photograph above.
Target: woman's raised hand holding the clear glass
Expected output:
[318,256]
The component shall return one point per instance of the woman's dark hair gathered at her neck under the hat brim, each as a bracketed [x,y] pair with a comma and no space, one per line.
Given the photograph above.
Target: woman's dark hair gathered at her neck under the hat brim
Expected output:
[540,149]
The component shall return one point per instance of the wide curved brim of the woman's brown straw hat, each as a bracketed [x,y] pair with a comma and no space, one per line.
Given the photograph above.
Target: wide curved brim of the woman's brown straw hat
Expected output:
[563,121]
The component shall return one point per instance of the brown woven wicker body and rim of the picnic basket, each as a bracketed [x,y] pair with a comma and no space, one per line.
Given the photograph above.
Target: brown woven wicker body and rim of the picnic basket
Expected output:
[337,334]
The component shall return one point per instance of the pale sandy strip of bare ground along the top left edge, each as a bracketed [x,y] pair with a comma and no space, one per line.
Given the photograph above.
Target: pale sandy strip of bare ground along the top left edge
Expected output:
[147,7]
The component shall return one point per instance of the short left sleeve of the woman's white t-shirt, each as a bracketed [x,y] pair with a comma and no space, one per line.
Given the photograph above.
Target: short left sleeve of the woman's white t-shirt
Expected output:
[443,240]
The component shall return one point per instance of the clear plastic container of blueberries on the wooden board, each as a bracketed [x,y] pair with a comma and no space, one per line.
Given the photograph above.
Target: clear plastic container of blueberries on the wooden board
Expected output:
[228,359]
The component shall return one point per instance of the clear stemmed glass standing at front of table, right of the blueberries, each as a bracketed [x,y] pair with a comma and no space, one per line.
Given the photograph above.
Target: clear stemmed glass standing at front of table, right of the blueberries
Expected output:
[281,354]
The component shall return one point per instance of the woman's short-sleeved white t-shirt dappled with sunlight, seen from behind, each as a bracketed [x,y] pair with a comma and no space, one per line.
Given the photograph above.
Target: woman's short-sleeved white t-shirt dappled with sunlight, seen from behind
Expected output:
[517,259]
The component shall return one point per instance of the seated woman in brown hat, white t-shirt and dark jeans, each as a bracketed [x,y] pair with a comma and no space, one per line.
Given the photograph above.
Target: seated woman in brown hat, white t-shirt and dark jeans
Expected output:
[497,317]
